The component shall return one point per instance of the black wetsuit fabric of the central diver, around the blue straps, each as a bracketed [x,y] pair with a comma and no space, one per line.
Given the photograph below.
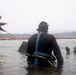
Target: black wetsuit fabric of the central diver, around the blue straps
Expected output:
[47,44]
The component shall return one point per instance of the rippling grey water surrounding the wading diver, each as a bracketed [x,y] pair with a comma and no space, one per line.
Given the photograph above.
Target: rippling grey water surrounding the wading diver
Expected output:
[14,63]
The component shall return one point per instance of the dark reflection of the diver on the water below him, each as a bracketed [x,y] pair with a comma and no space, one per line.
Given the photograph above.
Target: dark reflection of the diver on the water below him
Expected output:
[41,71]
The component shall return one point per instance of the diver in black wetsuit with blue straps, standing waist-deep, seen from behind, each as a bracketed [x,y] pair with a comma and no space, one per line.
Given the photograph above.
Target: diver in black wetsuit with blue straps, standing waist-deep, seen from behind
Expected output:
[42,47]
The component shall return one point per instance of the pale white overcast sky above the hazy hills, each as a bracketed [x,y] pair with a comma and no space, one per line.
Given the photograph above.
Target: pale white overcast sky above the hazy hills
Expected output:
[24,16]
